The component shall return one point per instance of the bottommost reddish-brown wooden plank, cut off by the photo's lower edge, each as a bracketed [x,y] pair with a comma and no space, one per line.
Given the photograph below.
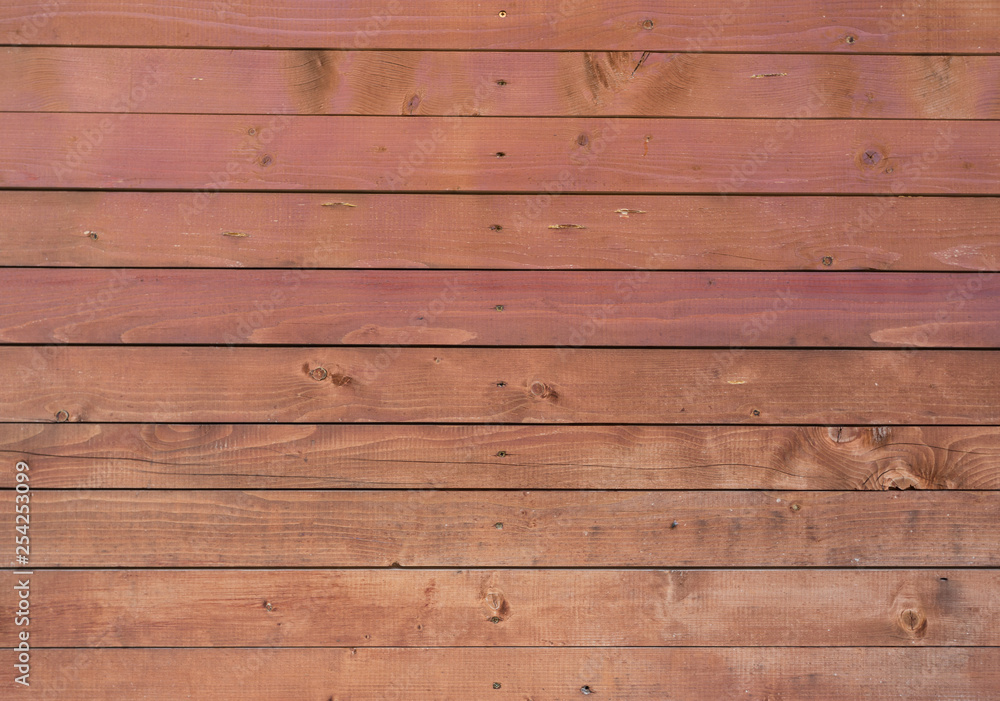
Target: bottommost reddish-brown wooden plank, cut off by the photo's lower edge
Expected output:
[541,674]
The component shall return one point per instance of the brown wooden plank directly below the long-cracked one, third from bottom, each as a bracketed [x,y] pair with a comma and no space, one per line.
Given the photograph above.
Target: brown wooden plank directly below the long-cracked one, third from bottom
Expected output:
[165,528]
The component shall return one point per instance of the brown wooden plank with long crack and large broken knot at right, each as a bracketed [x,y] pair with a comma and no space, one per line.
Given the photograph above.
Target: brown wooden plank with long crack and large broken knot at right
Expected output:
[248,456]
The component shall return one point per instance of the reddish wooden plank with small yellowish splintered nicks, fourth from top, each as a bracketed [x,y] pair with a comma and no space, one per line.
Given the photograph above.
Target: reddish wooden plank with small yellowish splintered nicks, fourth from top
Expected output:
[291,230]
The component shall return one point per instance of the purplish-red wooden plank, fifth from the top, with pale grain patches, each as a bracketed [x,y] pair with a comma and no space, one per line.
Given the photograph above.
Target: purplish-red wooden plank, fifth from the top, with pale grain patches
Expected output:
[482,308]
